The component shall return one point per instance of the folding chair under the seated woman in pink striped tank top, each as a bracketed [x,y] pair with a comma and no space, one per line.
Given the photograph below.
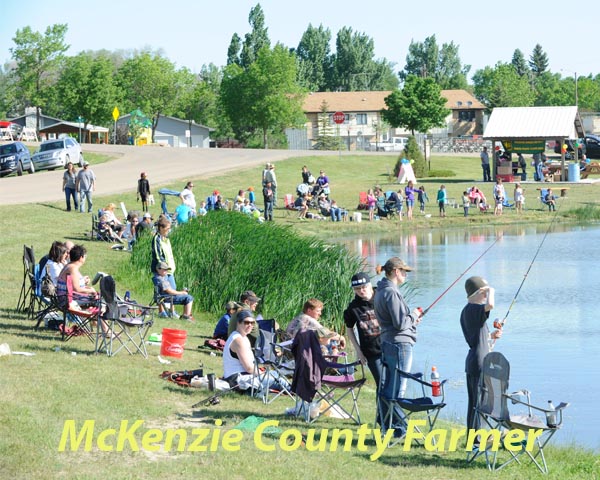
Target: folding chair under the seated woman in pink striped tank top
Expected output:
[78,320]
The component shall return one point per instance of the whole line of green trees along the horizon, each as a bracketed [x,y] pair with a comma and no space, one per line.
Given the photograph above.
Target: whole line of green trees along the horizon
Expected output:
[259,91]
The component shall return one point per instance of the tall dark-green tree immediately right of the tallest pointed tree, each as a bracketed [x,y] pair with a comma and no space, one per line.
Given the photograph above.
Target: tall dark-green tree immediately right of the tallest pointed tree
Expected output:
[314,58]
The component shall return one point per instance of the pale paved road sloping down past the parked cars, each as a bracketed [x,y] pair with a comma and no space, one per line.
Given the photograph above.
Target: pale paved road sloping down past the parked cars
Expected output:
[162,164]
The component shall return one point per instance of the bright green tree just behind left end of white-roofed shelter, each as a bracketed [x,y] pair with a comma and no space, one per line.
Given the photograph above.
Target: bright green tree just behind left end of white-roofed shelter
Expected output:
[502,86]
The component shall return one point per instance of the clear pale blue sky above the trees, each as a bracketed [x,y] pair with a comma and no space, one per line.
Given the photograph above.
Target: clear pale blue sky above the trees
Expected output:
[192,33]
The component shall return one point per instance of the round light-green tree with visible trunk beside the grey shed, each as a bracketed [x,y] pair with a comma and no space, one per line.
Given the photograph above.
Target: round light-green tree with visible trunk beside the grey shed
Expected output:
[146,82]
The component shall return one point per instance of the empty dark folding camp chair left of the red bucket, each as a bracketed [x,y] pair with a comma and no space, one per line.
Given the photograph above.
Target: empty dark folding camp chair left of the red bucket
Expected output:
[126,324]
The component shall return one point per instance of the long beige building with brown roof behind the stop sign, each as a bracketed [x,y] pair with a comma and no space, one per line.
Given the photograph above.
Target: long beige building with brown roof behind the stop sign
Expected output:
[364,125]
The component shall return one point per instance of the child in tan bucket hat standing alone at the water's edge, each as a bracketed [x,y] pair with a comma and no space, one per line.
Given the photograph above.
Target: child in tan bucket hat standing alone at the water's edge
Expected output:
[480,298]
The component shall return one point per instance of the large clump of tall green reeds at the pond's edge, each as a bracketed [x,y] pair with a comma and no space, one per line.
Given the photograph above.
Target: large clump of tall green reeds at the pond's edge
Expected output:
[224,253]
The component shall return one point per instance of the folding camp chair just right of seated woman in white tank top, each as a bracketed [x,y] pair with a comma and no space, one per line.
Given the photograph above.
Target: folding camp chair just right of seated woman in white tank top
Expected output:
[271,365]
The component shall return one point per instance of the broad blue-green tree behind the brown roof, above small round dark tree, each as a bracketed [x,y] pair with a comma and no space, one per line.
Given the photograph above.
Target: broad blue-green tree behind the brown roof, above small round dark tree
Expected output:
[427,60]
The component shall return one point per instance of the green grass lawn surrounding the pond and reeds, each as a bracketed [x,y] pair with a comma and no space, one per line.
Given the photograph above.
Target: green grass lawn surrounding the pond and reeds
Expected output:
[65,384]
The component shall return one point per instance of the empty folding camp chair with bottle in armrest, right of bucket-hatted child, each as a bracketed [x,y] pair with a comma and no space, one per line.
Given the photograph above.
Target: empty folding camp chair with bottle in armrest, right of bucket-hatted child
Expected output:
[534,432]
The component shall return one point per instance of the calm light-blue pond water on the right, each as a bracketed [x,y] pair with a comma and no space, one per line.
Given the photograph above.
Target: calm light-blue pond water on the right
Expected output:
[552,332]
